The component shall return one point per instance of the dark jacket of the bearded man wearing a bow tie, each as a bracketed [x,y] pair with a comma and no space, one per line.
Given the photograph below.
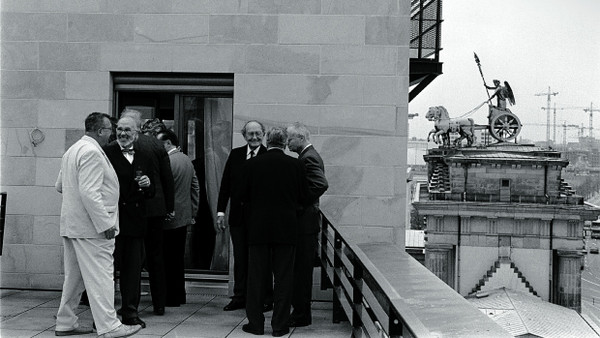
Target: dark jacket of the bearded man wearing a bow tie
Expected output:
[132,201]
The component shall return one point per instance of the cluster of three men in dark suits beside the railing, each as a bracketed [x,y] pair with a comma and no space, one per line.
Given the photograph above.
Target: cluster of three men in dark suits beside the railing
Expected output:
[274,222]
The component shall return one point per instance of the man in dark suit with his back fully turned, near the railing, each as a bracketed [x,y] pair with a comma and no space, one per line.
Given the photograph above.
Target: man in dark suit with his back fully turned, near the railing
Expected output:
[273,189]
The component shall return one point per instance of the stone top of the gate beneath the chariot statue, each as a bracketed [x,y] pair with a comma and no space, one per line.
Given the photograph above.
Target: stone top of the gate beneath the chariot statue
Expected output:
[502,216]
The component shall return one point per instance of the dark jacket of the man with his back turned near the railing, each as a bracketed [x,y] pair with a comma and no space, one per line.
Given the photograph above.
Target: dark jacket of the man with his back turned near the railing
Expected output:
[274,188]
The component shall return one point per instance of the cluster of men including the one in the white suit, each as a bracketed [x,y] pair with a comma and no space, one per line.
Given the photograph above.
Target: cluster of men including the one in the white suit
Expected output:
[119,204]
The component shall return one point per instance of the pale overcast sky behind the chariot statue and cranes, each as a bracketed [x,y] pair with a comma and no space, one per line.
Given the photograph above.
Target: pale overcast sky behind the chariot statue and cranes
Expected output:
[532,44]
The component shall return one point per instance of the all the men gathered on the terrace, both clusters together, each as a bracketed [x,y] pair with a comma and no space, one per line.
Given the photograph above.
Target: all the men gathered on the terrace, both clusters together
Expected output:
[130,201]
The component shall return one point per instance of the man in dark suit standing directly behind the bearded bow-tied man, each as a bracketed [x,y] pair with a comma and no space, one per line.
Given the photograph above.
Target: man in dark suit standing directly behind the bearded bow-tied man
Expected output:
[158,208]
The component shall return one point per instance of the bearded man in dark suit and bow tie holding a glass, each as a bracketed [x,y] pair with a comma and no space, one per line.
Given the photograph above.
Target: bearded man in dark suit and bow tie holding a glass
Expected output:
[134,169]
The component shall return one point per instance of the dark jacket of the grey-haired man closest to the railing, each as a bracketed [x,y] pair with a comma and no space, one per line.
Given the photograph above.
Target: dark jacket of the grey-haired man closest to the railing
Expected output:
[317,185]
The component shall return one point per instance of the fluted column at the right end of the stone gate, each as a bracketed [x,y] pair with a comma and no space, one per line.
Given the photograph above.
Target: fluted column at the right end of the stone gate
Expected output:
[569,279]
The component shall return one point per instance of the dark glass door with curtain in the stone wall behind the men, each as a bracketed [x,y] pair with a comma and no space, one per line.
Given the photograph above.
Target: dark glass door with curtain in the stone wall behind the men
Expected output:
[203,124]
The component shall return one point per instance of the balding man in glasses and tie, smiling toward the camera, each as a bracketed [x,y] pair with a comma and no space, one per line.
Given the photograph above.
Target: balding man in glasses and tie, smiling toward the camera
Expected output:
[229,191]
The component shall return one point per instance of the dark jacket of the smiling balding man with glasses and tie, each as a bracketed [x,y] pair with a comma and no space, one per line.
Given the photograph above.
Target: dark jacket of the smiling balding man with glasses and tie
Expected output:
[231,184]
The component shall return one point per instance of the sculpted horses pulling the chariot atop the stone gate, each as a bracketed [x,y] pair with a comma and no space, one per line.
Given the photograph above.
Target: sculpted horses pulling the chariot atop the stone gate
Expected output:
[444,125]
